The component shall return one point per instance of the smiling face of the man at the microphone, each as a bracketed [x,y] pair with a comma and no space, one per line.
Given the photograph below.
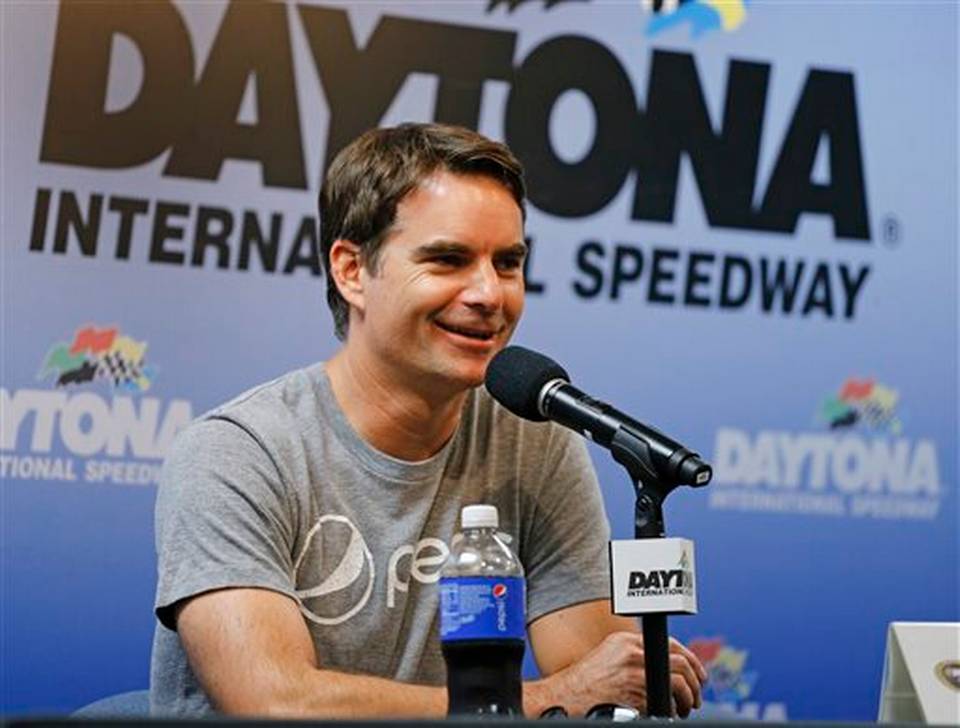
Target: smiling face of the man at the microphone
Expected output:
[447,290]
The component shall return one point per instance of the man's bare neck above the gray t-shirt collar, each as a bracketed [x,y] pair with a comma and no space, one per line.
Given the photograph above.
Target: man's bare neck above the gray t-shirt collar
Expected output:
[404,421]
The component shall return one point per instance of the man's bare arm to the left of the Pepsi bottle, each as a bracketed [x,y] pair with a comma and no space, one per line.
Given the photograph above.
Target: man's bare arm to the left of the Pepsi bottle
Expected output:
[252,652]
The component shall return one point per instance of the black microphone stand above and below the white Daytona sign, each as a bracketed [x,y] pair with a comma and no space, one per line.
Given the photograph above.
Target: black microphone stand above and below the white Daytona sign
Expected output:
[651,490]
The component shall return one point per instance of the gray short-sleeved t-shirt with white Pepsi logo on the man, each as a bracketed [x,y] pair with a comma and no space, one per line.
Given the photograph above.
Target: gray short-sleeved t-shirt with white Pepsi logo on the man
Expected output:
[276,490]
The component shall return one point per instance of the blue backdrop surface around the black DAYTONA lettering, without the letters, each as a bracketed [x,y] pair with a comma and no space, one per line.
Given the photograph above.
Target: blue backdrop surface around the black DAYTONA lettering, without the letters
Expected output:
[807,597]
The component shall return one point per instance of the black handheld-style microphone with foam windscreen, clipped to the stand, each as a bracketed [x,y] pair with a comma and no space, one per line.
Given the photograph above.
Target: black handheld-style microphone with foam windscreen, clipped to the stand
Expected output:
[535,387]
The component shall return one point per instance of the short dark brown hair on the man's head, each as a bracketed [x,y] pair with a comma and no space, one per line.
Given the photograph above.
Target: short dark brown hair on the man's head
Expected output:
[369,177]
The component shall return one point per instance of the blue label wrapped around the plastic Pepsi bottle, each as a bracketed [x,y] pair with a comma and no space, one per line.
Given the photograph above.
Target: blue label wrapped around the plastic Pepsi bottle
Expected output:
[482,608]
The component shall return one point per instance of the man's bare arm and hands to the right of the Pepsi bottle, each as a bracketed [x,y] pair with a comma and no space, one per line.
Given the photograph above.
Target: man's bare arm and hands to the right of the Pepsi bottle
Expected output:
[590,655]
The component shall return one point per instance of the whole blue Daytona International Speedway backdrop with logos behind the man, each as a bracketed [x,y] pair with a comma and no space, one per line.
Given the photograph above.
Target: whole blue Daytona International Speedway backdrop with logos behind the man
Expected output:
[743,225]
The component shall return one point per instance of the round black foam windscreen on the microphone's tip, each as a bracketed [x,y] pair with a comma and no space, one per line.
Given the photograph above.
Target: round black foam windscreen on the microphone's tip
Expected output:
[516,377]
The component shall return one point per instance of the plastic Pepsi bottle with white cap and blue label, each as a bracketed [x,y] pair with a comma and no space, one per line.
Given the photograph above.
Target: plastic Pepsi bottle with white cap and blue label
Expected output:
[482,615]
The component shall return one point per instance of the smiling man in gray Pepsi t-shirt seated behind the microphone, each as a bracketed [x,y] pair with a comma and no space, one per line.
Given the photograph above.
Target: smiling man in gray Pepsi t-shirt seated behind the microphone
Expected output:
[301,527]
